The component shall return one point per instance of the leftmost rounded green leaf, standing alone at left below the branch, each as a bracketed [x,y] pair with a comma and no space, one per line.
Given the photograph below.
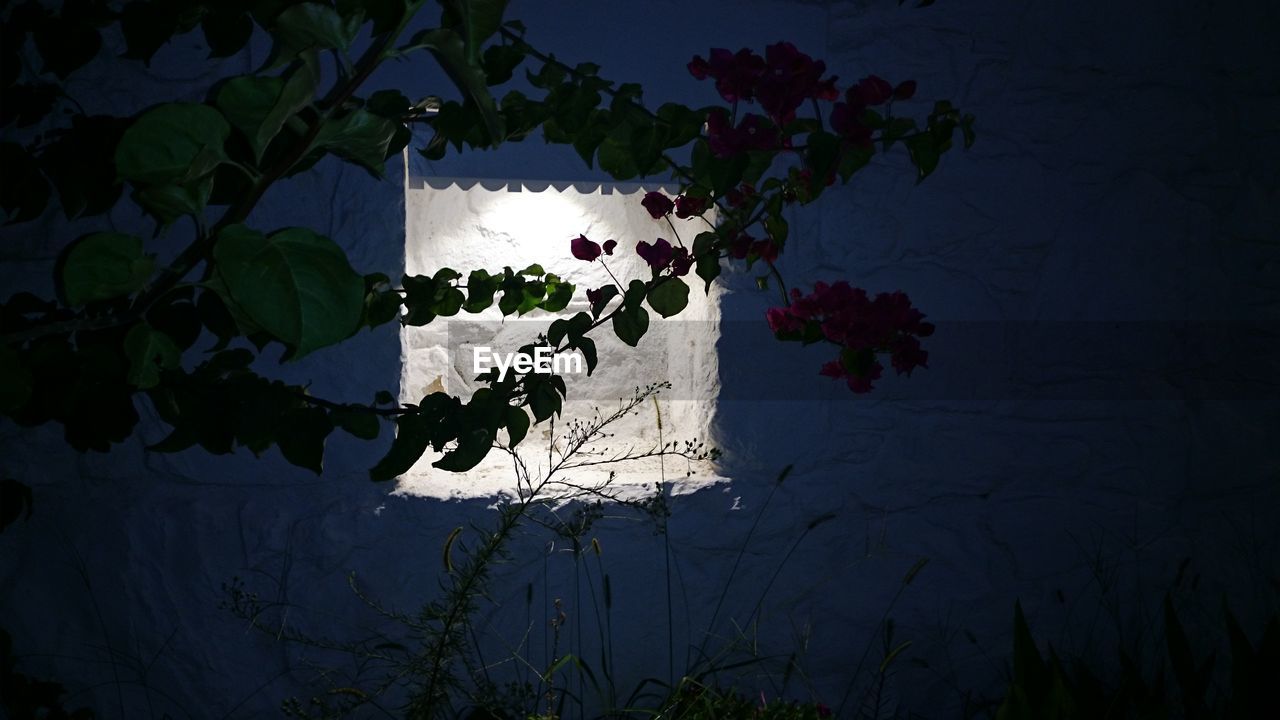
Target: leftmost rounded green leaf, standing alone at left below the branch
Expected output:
[103,267]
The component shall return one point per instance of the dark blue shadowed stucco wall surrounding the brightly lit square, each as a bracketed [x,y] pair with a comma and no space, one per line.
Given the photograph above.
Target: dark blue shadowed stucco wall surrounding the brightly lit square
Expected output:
[1104,270]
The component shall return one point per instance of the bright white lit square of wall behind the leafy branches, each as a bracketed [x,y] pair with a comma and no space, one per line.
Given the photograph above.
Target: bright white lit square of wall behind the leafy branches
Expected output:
[473,225]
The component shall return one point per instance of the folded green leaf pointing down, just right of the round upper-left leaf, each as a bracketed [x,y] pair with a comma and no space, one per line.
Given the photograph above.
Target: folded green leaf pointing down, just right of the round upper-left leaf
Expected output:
[259,107]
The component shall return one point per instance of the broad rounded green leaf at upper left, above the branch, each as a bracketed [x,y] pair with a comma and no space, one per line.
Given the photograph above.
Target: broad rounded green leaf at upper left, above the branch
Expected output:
[172,144]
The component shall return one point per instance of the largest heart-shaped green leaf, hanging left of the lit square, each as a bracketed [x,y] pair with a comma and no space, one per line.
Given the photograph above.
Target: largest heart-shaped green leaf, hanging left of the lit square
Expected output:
[296,285]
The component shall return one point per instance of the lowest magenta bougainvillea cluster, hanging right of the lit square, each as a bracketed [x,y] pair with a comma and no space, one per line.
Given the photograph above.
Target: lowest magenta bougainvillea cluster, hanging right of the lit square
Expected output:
[863,329]
